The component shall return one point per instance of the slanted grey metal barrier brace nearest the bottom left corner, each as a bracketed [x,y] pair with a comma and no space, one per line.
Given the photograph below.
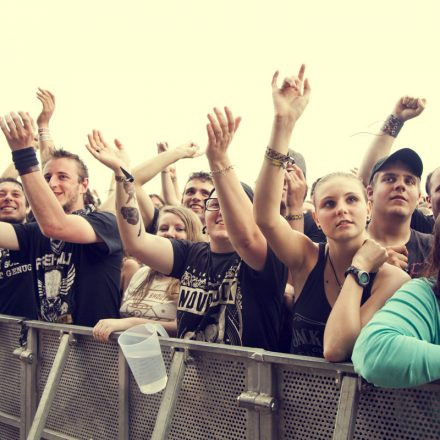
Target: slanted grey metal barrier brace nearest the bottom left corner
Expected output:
[50,389]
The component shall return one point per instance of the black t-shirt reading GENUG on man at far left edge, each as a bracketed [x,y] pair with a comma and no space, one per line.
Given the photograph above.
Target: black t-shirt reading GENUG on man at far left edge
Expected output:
[17,295]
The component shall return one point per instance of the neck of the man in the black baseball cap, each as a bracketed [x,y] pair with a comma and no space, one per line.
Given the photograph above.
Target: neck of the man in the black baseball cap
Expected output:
[390,231]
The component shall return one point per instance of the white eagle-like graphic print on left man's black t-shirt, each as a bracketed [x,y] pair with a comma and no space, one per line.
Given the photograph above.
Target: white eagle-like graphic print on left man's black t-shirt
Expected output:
[56,274]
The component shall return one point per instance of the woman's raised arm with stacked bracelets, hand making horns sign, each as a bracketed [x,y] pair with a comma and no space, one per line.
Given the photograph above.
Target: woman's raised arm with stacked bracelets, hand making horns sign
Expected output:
[289,103]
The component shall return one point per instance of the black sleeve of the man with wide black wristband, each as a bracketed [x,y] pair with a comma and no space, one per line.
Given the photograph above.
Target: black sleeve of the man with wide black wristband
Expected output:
[105,226]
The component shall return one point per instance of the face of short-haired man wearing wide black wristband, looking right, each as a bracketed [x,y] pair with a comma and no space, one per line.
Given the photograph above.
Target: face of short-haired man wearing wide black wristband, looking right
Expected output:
[63,178]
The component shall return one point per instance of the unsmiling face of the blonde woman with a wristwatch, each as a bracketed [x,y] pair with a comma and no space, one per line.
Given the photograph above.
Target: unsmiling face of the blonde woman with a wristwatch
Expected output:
[341,207]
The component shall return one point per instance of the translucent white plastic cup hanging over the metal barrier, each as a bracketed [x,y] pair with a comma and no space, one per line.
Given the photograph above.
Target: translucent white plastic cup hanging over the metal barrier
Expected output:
[141,349]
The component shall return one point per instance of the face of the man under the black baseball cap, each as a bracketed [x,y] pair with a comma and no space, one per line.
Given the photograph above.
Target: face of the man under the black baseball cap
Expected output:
[395,191]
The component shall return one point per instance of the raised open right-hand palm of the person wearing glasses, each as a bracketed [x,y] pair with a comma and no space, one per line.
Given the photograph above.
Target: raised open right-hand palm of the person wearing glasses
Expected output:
[220,131]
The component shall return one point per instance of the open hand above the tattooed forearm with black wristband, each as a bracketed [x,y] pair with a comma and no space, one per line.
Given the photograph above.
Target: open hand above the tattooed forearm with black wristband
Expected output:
[113,158]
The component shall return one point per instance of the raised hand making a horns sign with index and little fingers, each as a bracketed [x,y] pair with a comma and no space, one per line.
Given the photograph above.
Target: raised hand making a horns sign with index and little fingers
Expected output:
[292,97]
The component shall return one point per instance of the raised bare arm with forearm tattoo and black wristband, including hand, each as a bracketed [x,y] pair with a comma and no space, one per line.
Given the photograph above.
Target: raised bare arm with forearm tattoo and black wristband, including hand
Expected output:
[153,250]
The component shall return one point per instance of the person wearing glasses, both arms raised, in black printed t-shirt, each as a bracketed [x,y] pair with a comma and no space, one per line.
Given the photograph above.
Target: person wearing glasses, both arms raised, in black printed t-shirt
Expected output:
[231,289]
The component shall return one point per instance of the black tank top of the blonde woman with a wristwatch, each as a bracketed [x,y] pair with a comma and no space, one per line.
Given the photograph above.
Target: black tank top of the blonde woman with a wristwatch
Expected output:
[311,311]
